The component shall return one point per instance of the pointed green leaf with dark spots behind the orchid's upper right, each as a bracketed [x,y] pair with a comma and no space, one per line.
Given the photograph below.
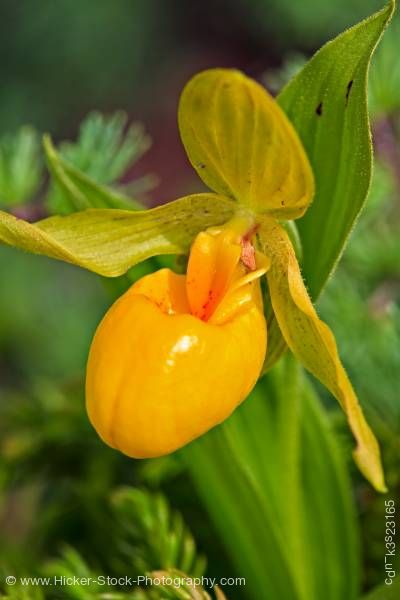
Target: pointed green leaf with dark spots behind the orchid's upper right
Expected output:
[327,103]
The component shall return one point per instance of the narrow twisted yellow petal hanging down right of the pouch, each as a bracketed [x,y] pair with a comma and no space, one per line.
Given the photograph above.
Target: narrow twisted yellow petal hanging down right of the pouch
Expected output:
[312,342]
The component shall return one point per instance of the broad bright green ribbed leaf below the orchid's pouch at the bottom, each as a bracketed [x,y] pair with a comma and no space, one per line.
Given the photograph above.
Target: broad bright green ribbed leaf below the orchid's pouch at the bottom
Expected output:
[274,481]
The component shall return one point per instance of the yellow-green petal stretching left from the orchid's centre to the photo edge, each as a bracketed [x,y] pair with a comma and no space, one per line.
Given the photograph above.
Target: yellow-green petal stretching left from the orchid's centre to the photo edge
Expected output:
[110,241]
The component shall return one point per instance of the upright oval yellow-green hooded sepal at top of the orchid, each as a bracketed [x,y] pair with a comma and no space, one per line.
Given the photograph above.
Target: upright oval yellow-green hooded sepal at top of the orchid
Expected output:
[242,144]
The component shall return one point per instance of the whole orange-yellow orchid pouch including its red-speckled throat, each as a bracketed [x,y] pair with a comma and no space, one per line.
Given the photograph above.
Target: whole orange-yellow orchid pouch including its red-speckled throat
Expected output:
[172,357]
